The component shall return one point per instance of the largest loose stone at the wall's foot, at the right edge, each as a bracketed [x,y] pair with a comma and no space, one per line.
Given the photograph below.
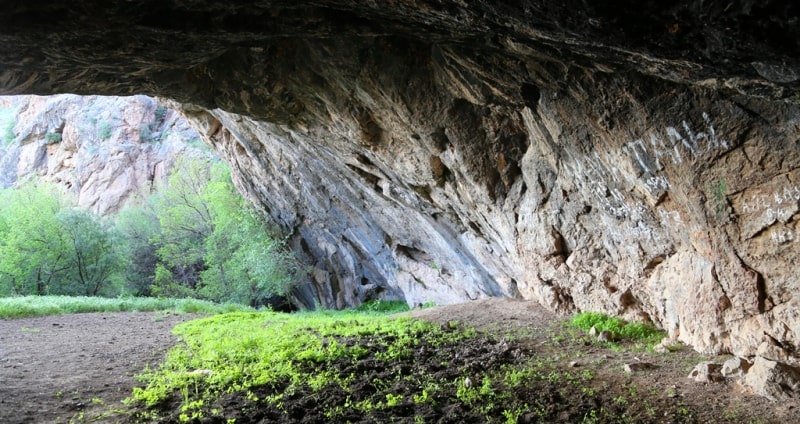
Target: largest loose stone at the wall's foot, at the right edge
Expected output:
[773,380]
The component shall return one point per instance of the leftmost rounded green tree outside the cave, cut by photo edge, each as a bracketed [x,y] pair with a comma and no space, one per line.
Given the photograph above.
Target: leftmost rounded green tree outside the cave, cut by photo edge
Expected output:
[49,248]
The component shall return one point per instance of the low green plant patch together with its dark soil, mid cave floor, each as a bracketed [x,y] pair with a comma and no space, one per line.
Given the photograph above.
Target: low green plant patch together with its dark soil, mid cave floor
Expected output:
[337,367]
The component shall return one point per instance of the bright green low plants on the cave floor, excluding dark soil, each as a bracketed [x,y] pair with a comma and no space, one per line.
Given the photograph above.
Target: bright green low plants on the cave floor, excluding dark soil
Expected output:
[242,353]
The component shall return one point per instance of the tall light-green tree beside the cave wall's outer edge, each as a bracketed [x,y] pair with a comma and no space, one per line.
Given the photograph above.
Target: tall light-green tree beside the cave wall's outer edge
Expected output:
[214,243]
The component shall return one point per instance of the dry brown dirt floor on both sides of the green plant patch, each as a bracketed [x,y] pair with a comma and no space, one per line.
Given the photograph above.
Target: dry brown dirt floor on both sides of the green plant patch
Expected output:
[77,368]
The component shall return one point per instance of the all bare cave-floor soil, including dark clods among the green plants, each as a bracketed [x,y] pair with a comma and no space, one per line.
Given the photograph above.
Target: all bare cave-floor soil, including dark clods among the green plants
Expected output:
[77,368]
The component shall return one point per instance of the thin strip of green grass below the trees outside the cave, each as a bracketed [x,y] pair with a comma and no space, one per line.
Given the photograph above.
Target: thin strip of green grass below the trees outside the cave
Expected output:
[33,306]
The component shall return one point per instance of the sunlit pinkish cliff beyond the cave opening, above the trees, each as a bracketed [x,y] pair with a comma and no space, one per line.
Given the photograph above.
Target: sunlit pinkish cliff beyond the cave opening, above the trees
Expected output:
[105,150]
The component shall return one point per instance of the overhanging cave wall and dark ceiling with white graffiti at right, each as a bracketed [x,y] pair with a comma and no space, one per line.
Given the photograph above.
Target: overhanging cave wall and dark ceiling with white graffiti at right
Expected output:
[633,157]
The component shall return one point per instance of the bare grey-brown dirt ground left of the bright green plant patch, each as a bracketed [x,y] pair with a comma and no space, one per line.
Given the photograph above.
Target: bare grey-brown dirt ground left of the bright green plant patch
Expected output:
[61,368]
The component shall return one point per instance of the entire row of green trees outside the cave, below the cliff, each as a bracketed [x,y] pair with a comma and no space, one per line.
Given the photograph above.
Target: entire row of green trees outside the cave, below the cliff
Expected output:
[196,237]
